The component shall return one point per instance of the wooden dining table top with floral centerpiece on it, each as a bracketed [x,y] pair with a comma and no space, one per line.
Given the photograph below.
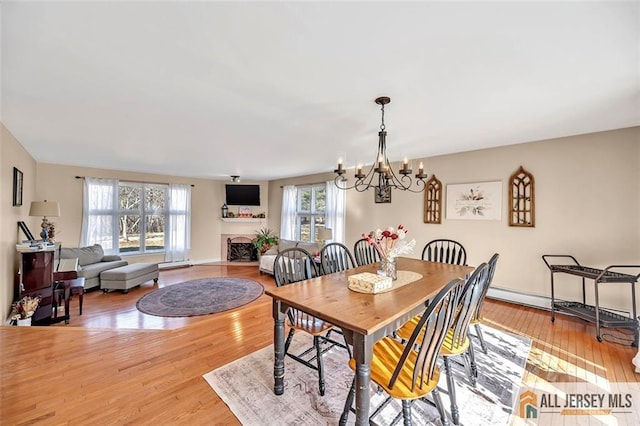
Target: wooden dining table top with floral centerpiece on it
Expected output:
[329,297]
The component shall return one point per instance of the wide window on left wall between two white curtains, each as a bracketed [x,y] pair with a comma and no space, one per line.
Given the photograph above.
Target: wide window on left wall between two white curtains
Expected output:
[141,217]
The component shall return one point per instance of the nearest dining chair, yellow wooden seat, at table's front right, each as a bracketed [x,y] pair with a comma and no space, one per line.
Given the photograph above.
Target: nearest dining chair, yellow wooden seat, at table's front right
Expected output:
[408,374]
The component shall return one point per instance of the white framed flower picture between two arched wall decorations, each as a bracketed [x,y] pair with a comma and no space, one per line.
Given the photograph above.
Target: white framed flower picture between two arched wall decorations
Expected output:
[475,201]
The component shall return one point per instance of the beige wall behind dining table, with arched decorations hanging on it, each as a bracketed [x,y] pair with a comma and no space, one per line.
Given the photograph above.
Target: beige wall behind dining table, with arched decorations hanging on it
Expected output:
[587,205]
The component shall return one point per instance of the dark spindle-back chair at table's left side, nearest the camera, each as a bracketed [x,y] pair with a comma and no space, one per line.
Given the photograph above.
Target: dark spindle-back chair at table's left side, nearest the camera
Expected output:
[290,266]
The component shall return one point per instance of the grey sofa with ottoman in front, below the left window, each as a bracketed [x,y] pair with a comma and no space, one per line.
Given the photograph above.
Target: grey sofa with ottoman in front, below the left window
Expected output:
[91,262]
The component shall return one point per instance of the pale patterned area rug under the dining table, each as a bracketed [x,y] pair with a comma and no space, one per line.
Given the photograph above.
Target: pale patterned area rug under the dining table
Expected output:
[246,386]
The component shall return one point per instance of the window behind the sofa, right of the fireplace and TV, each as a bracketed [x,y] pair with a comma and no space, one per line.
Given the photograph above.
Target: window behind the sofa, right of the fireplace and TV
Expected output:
[310,212]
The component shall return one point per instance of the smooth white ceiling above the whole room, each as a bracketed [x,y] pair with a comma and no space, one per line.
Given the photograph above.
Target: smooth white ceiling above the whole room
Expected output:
[268,90]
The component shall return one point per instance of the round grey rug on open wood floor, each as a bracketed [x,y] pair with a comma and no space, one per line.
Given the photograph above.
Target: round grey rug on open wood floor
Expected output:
[200,297]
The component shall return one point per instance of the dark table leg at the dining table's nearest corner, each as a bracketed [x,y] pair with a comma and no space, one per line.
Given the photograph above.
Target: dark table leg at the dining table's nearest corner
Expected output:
[362,353]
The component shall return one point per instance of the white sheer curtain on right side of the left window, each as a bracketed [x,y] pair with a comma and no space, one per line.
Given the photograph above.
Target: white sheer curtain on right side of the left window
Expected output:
[178,224]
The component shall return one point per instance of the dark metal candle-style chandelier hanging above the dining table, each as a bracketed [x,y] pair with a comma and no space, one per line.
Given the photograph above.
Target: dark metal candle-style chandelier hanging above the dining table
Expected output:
[381,176]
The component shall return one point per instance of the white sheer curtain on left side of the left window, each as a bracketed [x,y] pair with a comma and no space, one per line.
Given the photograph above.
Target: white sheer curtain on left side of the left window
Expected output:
[99,223]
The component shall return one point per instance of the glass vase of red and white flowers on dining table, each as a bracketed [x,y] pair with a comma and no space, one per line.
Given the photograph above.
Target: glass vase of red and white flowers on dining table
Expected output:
[390,244]
